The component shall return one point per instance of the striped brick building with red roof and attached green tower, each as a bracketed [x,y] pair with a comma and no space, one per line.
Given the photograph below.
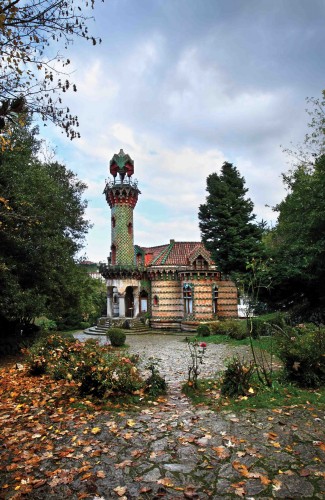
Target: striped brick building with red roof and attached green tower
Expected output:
[177,284]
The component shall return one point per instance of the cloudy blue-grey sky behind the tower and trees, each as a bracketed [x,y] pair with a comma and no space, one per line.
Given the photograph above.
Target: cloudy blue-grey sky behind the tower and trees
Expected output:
[182,86]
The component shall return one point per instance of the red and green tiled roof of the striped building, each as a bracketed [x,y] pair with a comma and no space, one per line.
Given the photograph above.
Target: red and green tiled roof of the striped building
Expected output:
[176,253]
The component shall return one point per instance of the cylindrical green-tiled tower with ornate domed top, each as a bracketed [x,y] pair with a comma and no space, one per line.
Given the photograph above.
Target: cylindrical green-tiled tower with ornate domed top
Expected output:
[122,196]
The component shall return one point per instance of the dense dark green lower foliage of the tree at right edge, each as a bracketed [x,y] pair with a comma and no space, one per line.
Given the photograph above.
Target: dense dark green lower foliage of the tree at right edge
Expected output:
[297,244]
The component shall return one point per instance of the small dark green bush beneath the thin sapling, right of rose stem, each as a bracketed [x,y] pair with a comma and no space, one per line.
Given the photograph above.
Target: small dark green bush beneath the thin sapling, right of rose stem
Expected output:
[236,379]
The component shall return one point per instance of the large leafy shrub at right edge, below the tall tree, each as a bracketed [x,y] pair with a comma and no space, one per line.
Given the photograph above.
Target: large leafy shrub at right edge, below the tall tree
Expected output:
[302,351]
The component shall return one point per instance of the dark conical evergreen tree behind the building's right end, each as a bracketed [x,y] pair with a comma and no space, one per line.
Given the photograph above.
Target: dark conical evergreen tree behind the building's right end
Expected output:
[226,221]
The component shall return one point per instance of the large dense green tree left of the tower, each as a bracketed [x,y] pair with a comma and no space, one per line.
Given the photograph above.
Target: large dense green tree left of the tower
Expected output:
[42,226]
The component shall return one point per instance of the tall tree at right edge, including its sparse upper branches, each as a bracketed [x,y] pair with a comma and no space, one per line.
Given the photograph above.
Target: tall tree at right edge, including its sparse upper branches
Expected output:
[296,246]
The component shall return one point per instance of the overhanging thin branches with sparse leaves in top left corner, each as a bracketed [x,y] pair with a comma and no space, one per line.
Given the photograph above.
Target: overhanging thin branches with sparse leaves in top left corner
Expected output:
[32,76]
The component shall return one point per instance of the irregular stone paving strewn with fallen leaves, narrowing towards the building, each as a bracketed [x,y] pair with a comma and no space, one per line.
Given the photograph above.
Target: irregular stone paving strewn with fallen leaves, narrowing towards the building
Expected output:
[173,450]
